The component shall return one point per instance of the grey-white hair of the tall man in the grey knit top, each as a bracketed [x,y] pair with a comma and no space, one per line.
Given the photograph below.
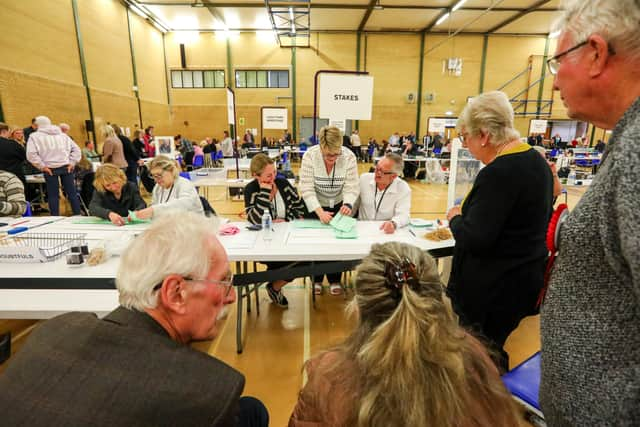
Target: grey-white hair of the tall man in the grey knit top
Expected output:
[617,21]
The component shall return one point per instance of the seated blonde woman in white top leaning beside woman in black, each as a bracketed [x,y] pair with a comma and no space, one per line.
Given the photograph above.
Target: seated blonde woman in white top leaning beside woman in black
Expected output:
[171,192]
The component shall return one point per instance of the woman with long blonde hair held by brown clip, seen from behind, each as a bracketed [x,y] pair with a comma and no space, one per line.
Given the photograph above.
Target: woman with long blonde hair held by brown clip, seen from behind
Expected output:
[408,362]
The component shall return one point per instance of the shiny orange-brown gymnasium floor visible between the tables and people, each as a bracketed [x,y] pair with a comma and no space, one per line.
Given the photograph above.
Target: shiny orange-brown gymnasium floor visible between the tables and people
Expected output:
[278,341]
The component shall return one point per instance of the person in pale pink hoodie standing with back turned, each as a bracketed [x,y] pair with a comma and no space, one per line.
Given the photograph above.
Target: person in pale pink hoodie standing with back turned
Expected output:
[55,154]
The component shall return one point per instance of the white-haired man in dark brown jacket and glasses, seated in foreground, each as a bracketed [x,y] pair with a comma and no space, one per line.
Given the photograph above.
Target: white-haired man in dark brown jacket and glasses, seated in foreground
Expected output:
[135,366]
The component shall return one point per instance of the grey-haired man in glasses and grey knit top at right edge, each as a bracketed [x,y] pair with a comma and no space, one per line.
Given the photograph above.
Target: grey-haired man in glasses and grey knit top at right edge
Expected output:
[590,322]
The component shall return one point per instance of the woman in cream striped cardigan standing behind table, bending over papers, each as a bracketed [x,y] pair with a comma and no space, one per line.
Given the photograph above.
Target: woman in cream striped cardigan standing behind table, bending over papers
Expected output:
[329,184]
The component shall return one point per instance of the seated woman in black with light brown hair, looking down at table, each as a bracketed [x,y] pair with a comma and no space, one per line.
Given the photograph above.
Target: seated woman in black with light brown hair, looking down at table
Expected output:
[115,196]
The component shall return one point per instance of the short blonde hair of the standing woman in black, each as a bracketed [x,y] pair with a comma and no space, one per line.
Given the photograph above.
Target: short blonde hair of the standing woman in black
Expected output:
[492,113]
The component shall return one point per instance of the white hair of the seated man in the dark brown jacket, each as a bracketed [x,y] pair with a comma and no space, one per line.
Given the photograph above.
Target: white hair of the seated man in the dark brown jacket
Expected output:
[175,243]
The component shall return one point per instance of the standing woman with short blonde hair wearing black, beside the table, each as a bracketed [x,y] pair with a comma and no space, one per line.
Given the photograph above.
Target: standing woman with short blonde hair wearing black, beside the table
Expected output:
[500,227]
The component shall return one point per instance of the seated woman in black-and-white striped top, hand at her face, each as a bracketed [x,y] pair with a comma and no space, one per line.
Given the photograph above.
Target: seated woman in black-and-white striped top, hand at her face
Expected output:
[280,198]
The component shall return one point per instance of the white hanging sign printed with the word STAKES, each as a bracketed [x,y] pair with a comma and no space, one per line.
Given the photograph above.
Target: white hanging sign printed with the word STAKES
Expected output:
[347,96]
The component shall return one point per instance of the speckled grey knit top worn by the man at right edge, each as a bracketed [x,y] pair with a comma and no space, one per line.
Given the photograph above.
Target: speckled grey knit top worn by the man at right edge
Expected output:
[590,321]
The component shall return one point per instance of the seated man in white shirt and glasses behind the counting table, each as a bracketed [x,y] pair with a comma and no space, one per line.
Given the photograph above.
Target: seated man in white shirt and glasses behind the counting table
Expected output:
[384,196]
